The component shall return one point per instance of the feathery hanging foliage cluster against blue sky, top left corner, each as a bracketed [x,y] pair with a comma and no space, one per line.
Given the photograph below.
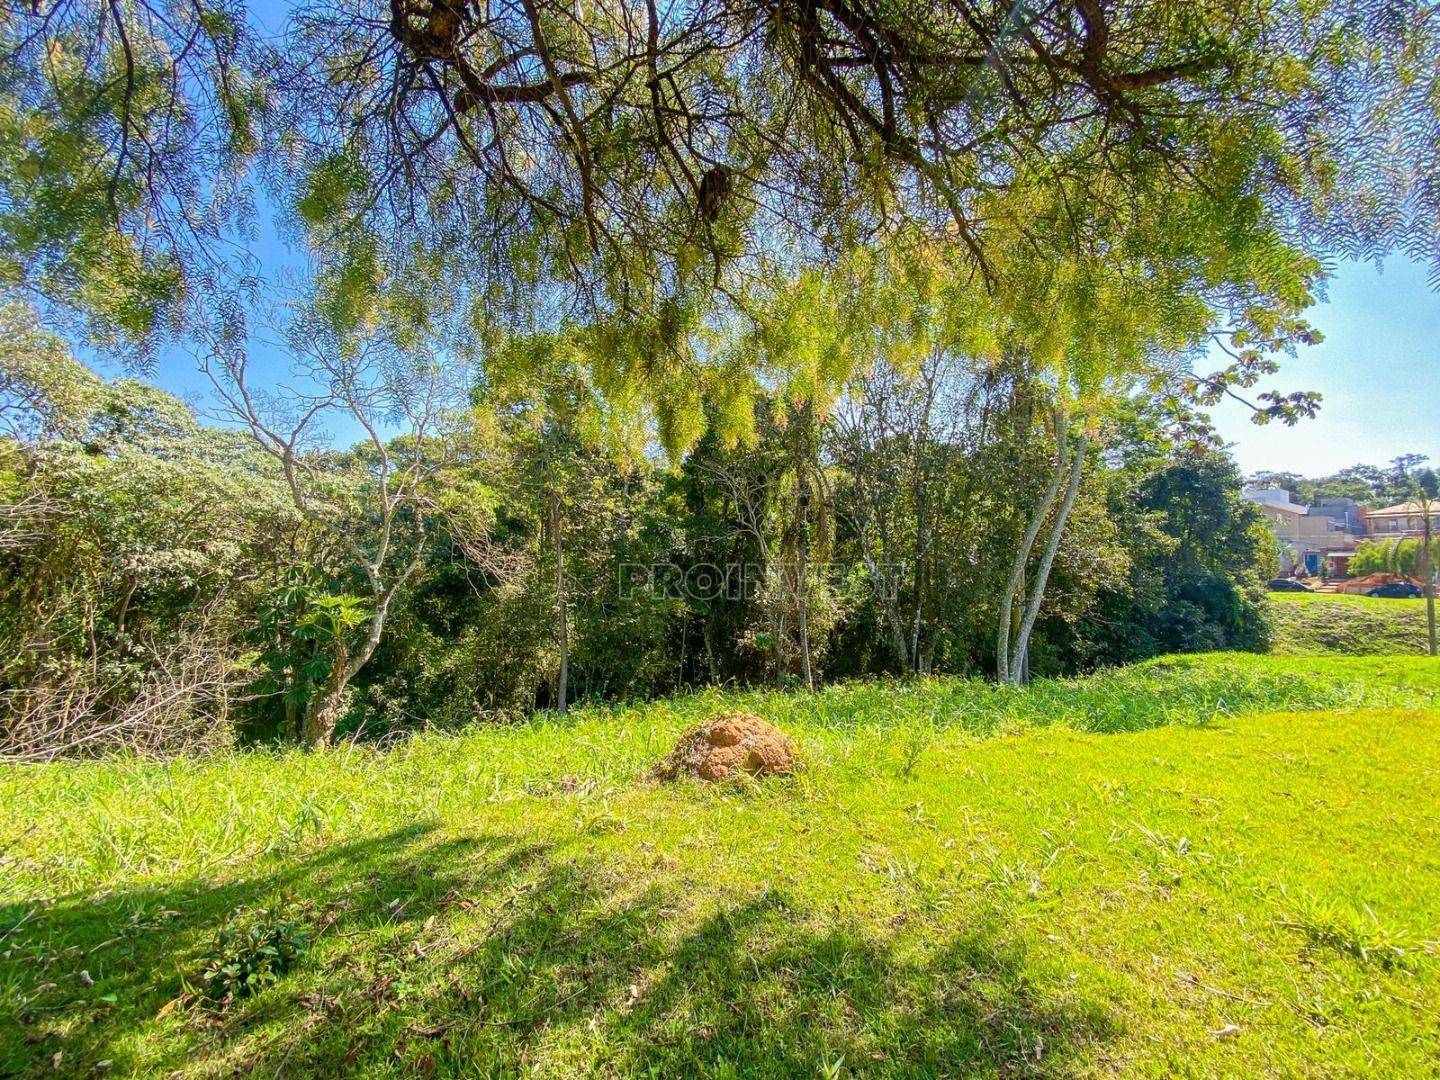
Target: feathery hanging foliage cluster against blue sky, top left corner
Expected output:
[125,132]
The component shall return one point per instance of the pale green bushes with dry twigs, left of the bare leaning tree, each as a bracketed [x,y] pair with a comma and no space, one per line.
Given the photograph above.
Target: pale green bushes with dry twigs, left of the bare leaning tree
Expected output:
[136,542]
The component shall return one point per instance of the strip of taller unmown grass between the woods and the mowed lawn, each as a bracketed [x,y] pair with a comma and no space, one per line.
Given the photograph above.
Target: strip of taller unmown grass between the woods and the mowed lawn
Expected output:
[202,814]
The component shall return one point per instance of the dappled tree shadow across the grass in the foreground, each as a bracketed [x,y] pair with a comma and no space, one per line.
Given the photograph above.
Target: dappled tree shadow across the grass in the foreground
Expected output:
[485,955]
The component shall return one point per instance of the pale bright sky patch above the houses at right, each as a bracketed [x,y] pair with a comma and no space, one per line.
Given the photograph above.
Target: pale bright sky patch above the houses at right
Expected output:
[1379,371]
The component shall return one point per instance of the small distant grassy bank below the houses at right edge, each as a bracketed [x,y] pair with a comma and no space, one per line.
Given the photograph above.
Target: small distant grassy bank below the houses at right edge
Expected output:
[1337,624]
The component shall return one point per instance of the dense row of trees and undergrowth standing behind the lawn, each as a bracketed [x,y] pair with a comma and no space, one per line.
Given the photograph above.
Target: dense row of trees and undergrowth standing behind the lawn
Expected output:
[172,585]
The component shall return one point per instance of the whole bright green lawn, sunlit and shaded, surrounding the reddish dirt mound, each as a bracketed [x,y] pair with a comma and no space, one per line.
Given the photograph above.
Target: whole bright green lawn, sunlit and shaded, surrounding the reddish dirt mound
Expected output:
[1197,868]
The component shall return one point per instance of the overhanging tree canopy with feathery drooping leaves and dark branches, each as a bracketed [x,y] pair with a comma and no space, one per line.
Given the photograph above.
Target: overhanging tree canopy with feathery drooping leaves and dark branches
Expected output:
[1117,171]
